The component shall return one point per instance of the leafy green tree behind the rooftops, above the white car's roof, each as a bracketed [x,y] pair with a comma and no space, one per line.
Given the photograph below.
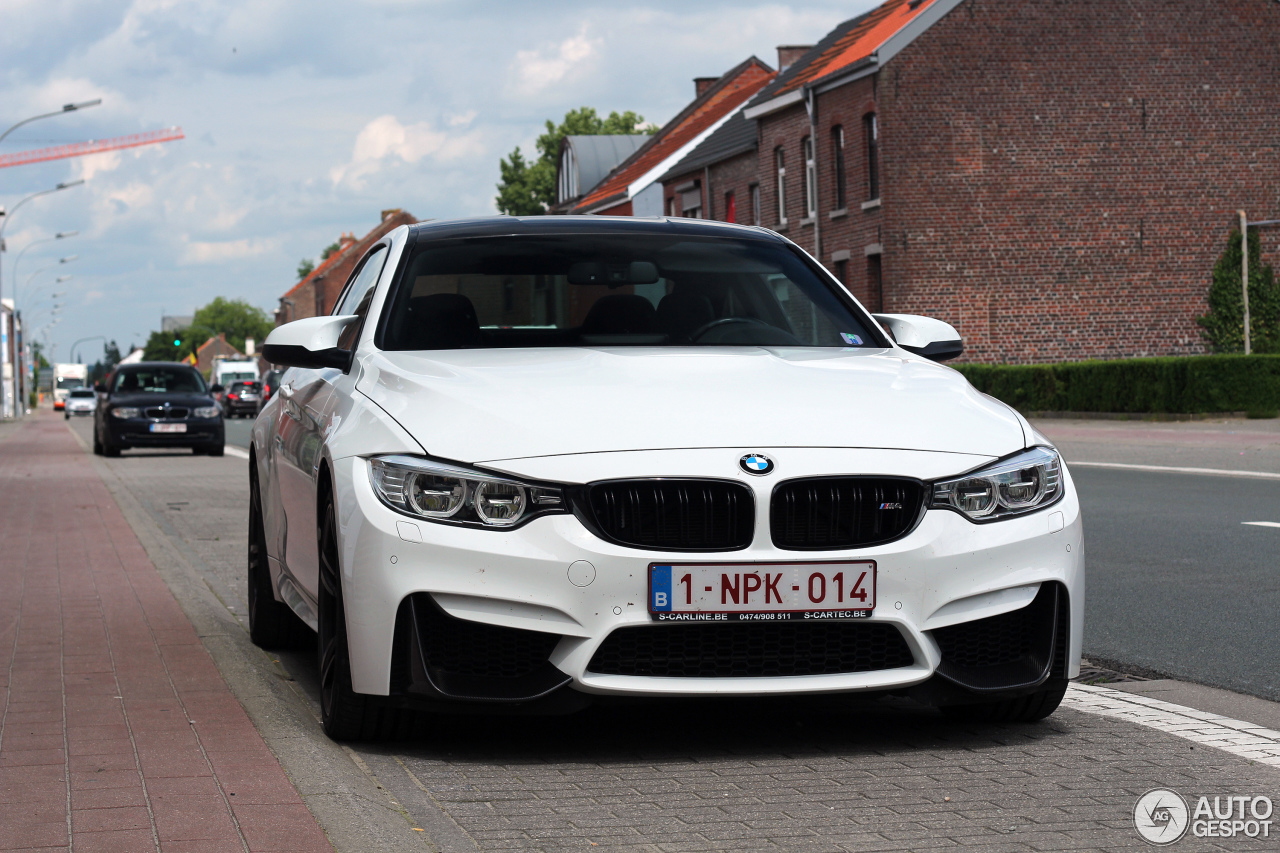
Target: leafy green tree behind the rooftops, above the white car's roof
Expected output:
[529,189]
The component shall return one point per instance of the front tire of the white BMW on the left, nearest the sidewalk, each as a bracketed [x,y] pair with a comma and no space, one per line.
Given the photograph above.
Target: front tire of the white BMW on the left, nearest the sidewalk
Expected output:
[345,714]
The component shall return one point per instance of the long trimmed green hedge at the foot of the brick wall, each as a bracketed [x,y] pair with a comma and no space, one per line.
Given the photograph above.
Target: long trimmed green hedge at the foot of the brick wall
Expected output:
[1190,385]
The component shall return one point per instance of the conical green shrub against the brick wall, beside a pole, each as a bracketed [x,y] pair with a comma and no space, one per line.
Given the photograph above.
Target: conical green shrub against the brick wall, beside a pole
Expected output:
[1224,325]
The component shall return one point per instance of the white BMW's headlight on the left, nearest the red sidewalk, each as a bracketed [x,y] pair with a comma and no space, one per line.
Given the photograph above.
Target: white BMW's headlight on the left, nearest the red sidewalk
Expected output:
[455,495]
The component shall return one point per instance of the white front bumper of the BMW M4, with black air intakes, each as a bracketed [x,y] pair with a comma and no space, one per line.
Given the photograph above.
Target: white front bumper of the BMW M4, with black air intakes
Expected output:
[513,596]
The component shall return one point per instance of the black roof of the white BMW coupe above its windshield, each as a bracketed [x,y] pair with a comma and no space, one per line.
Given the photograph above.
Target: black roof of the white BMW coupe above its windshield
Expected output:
[591,225]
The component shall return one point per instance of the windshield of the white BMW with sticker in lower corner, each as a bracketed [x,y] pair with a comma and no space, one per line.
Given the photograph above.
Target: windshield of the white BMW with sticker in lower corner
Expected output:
[620,290]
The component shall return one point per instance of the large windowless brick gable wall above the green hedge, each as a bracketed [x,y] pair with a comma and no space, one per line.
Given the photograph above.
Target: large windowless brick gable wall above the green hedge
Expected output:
[1059,179]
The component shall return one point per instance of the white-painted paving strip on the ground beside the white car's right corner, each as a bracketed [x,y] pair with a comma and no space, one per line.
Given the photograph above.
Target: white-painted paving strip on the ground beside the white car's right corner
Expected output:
[1244,740]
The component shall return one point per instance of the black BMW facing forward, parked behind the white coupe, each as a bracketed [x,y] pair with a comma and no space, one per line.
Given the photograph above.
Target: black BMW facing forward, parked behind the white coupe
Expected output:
[157,404]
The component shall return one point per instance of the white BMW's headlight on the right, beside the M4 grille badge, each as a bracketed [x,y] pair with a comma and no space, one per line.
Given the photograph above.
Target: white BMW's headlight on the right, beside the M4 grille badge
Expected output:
[1023,483]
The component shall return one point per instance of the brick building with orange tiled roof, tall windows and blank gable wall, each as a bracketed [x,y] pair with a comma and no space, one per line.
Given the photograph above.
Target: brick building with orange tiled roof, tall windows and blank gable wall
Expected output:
[1054,179]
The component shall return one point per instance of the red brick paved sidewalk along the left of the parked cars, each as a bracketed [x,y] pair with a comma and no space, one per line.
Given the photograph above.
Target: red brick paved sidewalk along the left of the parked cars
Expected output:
[117,732]
